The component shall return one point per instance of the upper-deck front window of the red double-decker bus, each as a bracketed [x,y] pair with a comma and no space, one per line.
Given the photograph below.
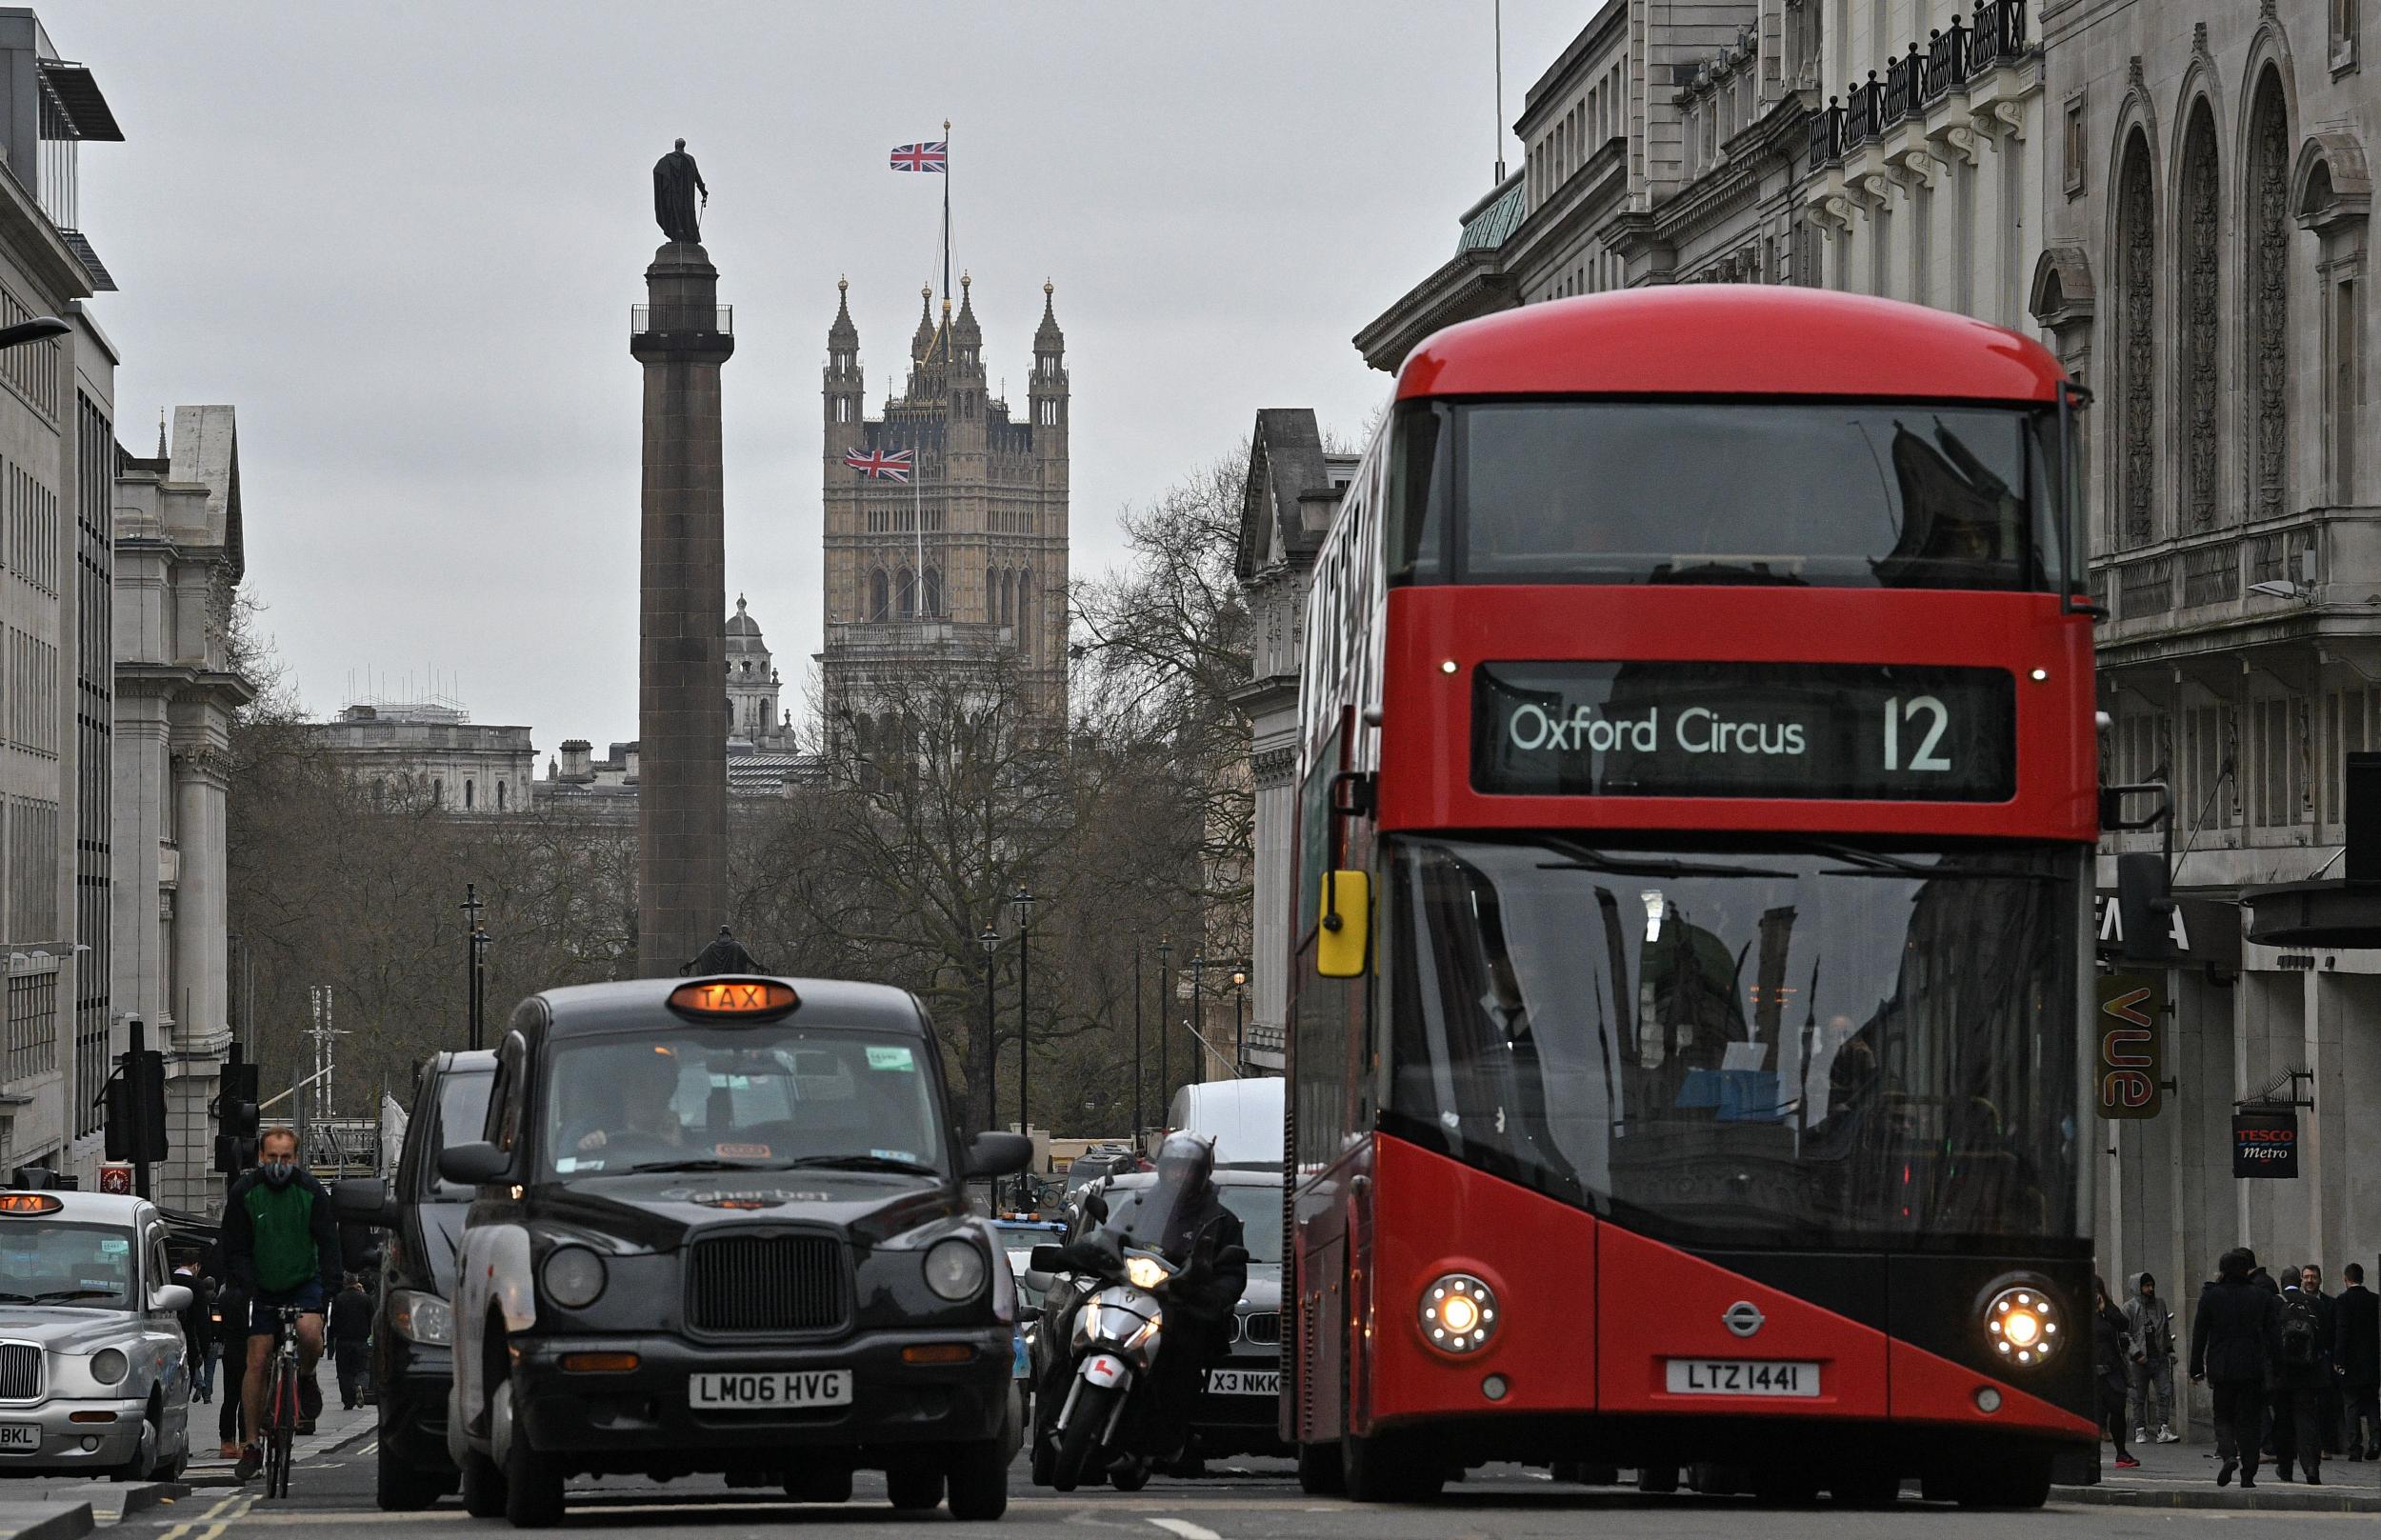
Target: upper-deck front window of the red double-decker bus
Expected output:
[1785,494]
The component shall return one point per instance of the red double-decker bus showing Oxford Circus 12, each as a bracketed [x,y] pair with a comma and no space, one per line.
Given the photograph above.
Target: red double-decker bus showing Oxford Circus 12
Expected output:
[1696,825]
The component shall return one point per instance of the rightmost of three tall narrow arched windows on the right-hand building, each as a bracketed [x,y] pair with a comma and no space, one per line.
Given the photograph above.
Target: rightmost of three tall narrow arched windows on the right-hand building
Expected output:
[2268,365]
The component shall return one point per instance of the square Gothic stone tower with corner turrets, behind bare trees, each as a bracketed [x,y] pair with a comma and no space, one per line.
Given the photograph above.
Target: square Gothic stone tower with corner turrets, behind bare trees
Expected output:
[970,556]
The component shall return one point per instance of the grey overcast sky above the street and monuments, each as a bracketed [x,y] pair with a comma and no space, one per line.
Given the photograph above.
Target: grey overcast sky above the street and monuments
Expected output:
[404,244]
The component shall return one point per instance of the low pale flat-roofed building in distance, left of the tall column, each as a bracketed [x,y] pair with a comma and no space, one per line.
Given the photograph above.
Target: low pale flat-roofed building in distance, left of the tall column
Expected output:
[432,751]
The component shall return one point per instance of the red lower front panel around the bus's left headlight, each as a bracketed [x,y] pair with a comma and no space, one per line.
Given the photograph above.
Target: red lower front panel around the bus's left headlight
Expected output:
[1437,1217]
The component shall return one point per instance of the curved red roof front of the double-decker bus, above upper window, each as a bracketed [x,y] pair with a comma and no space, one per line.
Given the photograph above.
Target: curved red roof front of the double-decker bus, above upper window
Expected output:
[1732,339]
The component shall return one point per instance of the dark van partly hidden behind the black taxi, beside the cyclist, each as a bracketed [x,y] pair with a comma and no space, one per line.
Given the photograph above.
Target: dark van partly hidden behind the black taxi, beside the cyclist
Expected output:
[413,1332]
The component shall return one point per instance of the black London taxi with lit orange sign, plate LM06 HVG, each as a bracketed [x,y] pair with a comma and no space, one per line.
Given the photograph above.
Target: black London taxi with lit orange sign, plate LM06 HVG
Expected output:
[723,1229]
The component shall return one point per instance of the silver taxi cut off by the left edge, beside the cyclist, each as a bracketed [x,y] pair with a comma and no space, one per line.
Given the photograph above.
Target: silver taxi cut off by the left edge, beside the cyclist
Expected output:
[94,1379]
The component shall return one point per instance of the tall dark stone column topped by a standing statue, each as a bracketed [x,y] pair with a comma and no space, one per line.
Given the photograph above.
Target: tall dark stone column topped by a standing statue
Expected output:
[682,337]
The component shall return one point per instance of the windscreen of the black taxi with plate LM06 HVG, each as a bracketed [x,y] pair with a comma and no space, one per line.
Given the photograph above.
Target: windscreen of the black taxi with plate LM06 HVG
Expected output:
[739,1098]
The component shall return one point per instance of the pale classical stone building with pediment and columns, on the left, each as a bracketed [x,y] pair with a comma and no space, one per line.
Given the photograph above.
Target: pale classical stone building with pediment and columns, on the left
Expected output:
[180,556]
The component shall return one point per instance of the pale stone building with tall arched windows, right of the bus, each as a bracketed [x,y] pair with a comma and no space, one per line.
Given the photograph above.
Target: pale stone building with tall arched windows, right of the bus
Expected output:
[2211,175]
